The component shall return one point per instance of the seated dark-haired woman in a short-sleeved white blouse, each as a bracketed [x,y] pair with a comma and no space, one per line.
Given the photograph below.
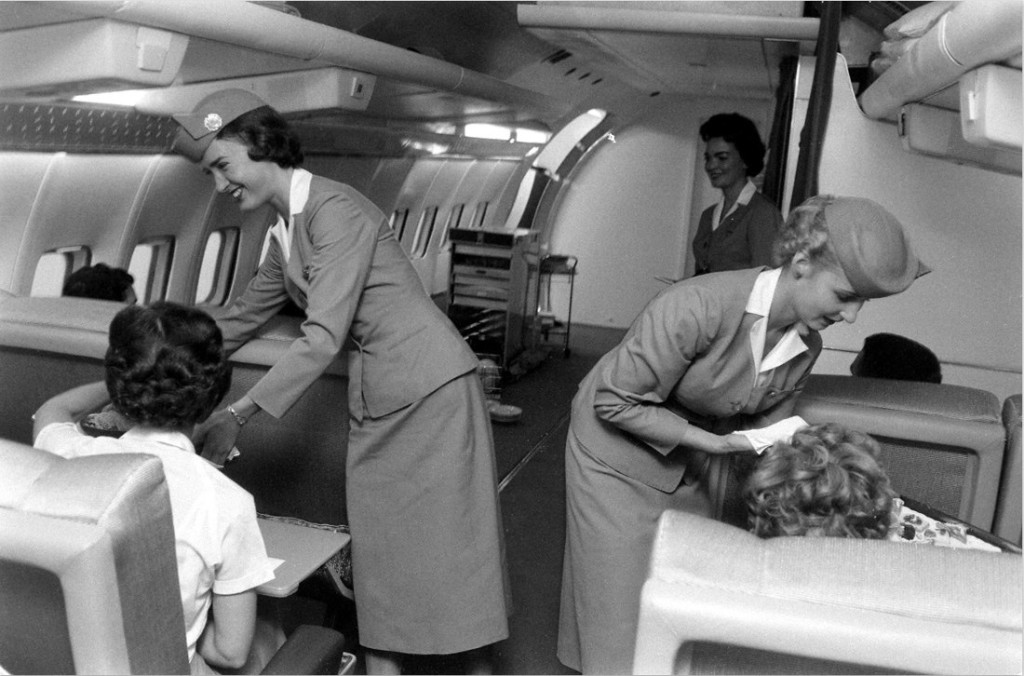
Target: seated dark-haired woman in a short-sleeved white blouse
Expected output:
[166,371]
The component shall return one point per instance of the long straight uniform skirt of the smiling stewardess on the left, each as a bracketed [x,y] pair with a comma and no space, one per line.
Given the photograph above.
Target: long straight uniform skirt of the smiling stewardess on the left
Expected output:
[429,553]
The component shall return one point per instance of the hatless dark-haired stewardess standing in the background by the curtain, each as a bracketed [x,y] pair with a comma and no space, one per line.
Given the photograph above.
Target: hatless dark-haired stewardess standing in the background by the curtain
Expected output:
[739,232]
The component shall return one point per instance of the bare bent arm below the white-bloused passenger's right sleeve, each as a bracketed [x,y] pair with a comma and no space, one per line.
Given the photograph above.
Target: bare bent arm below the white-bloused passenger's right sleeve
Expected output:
[229,633]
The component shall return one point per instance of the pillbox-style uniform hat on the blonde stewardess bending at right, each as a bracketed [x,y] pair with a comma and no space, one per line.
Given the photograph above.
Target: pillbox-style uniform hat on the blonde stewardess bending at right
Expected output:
[872,247]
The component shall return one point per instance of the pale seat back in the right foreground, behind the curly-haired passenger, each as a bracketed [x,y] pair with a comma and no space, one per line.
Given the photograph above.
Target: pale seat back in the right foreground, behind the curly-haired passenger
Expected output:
[719,600]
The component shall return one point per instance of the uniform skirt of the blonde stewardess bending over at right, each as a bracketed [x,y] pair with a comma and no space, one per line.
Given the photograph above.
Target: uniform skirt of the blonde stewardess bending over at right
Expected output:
[610,530]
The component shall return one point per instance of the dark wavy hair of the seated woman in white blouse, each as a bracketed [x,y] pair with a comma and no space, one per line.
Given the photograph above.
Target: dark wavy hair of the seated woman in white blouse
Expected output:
[166,365]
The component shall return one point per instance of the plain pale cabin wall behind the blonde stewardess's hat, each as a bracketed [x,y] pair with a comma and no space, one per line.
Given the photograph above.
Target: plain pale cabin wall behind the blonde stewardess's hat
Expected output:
[966,225]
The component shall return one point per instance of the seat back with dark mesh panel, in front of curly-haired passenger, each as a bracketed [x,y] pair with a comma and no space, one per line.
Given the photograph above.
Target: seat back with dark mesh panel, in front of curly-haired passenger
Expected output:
[942,445]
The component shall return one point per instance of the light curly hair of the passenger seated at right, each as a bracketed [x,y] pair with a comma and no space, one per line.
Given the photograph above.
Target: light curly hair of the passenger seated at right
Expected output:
[826,483]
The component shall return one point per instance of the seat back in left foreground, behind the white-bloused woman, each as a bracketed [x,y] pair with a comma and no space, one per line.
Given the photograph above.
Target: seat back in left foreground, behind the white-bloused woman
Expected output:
[89,573]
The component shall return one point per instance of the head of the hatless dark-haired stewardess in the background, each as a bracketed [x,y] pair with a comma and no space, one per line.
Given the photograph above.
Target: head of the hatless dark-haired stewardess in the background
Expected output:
[732,132]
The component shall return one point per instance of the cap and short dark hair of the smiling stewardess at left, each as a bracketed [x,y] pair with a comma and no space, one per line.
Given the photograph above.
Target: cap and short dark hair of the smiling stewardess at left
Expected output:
[243,117]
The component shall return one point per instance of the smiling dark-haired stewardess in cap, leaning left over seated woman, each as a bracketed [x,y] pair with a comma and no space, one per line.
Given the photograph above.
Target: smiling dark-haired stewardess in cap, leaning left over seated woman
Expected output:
[428,546]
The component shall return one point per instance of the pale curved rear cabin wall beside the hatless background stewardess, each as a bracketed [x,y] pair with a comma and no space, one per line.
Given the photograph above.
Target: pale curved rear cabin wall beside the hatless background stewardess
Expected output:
[629,209]
